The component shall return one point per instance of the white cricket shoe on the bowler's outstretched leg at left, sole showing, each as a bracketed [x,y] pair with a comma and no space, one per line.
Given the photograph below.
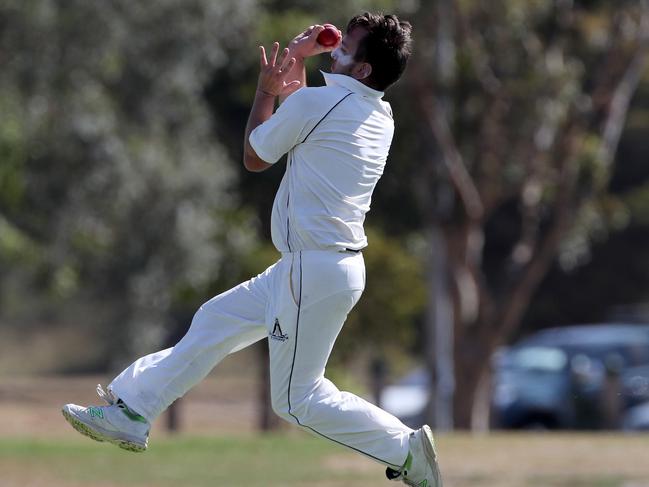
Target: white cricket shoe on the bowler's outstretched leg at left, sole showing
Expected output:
[115,423]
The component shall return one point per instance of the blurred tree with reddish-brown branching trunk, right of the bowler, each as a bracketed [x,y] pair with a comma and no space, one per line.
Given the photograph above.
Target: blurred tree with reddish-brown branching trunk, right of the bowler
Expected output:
[526,124]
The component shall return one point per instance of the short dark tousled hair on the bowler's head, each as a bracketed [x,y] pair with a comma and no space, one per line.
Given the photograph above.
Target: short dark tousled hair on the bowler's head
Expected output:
[386,47]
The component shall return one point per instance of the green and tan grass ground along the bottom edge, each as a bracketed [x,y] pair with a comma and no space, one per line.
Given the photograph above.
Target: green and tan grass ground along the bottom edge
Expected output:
[518,460]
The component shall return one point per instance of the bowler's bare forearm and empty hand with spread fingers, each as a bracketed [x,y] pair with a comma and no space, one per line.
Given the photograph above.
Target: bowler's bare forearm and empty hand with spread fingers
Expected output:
[271,84]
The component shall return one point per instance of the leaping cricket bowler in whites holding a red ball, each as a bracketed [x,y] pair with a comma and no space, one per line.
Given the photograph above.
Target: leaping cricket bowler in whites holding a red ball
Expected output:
[337,139]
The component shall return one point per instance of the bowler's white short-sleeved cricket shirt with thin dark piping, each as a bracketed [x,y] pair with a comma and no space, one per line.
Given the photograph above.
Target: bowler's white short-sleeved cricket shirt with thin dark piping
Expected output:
[333,163]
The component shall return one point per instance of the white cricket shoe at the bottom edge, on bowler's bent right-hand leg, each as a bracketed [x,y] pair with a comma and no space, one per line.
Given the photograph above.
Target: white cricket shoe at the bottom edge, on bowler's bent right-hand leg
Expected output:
[421,468]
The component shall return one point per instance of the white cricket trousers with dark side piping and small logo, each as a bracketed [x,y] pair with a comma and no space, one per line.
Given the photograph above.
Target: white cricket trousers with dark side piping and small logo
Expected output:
[300,303]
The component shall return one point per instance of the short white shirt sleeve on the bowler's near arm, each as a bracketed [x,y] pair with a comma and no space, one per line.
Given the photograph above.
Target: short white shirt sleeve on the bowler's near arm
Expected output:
[281,132]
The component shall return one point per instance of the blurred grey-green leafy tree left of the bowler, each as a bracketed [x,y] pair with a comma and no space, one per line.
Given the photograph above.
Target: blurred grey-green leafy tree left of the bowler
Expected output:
[110,177]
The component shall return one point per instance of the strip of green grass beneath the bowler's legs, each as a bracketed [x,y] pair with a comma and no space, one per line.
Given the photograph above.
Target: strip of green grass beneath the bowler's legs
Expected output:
[260,461]
